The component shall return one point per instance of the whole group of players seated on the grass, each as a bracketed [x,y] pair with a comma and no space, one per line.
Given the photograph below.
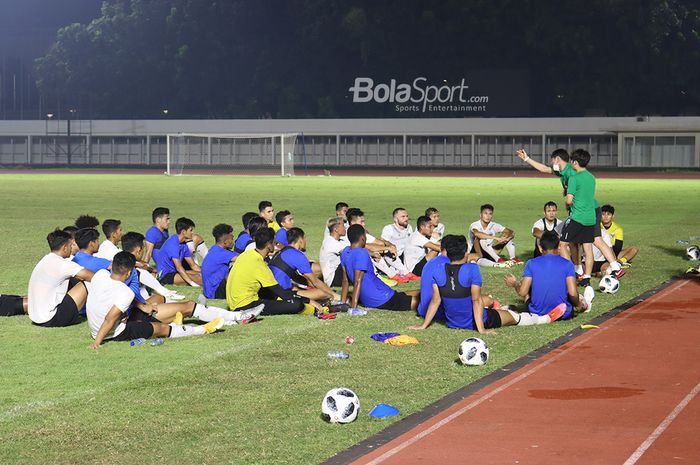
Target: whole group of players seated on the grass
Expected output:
[264,271]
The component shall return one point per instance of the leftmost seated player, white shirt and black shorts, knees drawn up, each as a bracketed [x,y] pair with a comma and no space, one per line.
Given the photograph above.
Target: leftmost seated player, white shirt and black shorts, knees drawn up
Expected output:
[52,301]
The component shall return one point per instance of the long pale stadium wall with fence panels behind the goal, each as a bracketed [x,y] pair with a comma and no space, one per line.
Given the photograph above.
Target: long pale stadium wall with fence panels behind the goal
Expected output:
[641,142]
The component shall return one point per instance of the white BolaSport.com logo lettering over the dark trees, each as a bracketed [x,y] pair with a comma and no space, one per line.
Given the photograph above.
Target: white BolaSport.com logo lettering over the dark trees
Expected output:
[418,96]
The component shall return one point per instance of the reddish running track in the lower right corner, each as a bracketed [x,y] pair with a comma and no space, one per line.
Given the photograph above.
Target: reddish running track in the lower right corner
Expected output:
[622,394]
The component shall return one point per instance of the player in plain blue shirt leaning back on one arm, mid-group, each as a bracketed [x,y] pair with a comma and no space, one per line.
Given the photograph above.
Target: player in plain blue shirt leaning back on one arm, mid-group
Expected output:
[368,289]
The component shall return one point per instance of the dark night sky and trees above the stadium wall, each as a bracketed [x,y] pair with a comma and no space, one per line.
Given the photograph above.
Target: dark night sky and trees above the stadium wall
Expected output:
[298,58]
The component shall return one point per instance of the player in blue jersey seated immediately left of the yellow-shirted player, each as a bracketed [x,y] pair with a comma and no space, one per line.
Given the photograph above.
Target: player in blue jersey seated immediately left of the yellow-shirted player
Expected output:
[217,264]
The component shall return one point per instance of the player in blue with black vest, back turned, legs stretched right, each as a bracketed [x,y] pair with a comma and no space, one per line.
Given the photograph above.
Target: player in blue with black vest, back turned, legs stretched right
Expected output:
[457,287]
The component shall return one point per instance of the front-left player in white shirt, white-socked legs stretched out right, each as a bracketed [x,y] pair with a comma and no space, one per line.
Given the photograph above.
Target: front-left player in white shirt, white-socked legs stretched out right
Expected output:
[110,300]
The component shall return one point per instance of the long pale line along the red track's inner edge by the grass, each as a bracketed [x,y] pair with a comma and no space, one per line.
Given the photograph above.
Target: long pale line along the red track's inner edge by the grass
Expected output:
[418,436]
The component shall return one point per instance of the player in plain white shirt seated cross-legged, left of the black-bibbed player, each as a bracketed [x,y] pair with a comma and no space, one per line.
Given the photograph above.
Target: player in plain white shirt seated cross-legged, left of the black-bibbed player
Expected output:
[488,238]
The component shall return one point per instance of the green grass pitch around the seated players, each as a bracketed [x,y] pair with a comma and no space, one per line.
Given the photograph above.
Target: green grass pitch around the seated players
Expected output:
[252,394]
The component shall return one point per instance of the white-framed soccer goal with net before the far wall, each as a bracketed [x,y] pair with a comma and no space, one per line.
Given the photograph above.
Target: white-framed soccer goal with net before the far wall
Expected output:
[226,153]
